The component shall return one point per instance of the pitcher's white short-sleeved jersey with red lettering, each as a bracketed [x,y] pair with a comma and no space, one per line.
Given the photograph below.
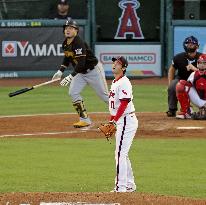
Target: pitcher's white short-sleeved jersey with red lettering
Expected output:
[120,89]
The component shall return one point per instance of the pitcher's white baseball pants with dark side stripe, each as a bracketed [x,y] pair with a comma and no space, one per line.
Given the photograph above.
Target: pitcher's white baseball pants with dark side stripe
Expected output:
[126,129]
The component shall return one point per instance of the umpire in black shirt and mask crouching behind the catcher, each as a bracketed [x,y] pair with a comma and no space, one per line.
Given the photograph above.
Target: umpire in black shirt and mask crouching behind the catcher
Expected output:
[182,66]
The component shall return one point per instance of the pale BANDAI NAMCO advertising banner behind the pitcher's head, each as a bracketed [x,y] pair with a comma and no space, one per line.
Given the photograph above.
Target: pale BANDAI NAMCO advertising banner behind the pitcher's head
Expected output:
[144,60]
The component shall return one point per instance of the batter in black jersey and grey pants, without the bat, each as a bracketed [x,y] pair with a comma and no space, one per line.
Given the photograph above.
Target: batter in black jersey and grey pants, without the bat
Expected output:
[87,70]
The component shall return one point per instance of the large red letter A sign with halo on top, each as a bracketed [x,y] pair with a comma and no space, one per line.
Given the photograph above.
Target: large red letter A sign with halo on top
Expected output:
[129,21]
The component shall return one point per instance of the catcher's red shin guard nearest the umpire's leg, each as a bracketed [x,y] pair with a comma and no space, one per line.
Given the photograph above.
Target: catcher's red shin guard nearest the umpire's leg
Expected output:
[182,95]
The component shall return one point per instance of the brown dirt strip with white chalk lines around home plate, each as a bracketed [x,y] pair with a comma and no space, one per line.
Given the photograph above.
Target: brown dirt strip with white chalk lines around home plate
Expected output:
[152,125]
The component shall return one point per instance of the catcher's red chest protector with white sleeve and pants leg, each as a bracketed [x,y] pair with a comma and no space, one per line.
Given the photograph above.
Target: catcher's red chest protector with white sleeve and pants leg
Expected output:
[197,93]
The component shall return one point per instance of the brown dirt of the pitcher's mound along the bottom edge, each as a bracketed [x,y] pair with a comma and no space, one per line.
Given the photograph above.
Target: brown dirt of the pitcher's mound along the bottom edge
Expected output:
[95,198]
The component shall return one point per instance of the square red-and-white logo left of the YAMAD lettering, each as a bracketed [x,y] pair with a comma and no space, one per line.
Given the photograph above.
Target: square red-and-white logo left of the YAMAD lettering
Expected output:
[9,49]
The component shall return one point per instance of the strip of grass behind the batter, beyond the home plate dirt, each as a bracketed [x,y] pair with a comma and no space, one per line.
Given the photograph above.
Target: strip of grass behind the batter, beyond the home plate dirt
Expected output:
[55,99]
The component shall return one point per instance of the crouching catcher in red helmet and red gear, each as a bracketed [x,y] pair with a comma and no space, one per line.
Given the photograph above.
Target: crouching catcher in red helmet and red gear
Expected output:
[193,90]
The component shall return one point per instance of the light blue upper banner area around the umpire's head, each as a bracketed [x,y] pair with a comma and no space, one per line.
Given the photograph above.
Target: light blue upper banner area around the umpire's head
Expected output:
[182,32]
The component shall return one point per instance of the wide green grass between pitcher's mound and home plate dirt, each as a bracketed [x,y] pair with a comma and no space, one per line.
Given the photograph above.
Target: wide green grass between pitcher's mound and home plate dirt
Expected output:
[169,167]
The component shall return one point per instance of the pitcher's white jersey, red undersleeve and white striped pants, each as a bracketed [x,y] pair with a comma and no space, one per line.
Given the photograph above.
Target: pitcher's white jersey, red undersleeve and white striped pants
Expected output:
[122,111]
